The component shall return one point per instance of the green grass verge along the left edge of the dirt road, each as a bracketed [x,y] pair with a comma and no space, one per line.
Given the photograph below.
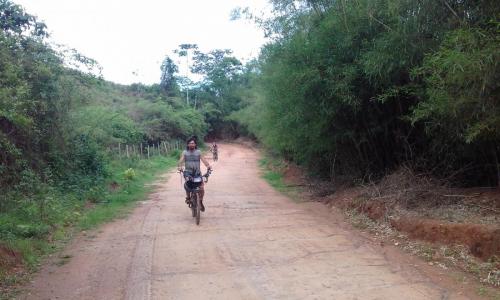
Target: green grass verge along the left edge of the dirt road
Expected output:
[29,234]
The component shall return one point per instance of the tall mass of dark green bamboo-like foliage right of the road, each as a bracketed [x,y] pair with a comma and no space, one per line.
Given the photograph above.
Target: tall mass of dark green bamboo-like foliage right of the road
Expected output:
[356,88]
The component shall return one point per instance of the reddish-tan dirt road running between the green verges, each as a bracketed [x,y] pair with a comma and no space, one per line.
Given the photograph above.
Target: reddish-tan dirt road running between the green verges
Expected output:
[253,243]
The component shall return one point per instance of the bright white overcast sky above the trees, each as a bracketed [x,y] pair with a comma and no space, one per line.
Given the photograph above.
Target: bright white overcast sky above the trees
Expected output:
[127,36]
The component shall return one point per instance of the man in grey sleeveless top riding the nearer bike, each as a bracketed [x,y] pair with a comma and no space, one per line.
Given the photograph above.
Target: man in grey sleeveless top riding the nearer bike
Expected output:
[191,158]
